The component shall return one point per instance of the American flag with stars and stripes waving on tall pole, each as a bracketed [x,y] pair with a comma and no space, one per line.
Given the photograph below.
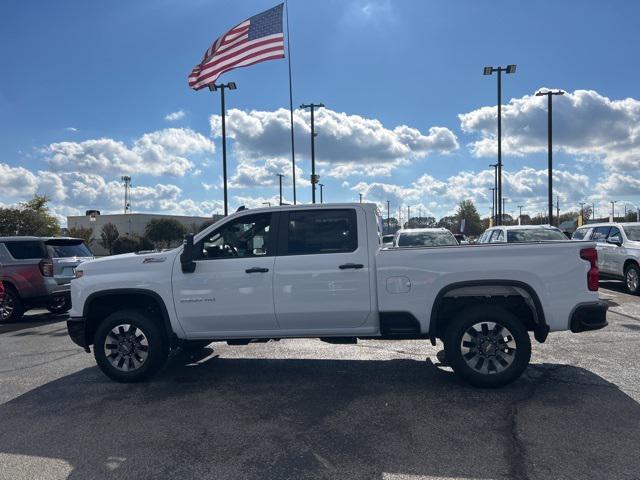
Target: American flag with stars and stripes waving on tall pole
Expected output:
[255,40]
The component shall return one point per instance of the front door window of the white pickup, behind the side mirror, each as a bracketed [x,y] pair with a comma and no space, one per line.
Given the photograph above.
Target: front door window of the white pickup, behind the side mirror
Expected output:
[247,236]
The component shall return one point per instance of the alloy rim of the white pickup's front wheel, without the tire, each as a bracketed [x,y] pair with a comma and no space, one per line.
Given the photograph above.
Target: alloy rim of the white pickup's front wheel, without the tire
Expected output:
[126,347]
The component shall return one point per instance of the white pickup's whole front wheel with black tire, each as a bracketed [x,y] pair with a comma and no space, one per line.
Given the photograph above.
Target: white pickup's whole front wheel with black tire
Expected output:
[120,343]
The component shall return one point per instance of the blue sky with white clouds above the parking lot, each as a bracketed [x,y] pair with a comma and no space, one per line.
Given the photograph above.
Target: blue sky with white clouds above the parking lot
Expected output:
[87,86]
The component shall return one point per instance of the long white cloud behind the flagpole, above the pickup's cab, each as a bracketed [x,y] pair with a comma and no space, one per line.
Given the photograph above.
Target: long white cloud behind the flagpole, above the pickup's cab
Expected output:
[345,145]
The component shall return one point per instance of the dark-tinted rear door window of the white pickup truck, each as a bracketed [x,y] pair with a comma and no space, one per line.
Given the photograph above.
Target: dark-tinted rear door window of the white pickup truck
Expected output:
[322,231]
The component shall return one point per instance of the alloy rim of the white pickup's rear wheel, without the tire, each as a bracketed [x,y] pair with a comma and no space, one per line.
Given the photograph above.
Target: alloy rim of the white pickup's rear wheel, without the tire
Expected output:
[488,348]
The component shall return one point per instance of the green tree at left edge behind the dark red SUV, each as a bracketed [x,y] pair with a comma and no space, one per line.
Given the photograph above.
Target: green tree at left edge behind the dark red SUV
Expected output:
[29,218]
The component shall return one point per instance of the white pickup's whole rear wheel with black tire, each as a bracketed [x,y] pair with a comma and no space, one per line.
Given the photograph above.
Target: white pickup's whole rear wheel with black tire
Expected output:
[486,368]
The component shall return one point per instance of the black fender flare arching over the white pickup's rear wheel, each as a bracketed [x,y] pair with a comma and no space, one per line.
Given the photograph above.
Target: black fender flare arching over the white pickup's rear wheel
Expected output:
[541,329]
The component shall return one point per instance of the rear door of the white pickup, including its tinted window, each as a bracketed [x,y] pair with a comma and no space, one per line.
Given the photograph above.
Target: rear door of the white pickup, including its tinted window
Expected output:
[321,278]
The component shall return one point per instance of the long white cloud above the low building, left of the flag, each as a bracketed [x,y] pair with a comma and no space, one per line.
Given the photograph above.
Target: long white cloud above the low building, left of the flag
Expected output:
[163,152]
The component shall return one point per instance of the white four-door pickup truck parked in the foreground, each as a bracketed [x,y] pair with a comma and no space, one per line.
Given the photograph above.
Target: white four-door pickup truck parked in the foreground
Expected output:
[319,271]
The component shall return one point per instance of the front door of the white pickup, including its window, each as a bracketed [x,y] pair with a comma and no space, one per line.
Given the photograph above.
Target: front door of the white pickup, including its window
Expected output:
[231,289]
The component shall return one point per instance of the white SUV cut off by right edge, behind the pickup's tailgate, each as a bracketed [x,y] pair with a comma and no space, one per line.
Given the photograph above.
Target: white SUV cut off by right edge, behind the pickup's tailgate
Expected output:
[618,247]
